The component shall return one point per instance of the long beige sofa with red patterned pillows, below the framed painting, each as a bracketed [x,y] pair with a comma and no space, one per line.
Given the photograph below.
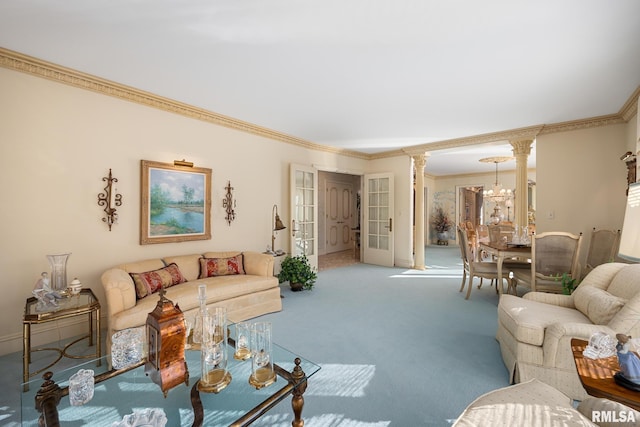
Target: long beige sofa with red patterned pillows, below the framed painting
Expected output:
[253,292]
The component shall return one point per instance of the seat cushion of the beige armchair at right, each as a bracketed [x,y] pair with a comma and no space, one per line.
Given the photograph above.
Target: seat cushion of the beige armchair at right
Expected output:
[527,320]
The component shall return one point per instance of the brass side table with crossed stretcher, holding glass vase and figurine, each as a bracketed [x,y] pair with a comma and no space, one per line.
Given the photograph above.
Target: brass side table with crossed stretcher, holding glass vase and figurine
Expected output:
[85,303]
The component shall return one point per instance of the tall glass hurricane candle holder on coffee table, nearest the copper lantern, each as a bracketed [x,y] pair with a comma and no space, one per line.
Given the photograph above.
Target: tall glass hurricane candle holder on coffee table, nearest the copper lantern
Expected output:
[215,376]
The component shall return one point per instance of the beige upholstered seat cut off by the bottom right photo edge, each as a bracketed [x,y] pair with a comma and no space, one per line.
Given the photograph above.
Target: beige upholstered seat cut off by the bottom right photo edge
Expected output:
[535,403]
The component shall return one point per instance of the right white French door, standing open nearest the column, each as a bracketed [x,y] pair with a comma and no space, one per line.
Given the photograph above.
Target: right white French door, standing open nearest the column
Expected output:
[377,236]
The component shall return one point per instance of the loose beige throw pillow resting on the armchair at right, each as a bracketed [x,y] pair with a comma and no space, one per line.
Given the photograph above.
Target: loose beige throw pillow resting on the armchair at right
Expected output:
[597,304]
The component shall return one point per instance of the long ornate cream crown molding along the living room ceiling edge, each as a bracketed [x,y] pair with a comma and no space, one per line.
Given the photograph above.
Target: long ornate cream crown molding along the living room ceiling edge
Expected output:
[36,67]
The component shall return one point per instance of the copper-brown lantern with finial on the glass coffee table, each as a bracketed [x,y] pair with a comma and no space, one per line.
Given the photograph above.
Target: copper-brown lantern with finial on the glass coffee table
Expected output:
[166,337]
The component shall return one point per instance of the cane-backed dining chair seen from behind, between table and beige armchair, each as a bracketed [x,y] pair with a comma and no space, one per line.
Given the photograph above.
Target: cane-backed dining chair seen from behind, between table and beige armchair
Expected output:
[553,254]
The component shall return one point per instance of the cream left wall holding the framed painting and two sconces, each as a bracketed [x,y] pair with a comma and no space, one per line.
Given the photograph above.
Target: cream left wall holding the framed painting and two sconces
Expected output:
[57,142]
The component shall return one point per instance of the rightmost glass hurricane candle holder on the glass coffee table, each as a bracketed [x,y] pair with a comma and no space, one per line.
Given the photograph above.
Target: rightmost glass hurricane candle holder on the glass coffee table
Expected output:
[262,372]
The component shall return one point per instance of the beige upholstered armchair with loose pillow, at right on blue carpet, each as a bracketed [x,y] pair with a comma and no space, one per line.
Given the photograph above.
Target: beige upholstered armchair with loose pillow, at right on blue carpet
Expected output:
[535,331]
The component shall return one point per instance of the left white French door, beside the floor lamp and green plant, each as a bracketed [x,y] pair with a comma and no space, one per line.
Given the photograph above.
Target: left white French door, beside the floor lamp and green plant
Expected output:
[304,212]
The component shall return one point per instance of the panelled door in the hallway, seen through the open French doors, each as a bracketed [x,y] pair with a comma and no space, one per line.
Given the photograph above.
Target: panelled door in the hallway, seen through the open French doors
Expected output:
[339,216]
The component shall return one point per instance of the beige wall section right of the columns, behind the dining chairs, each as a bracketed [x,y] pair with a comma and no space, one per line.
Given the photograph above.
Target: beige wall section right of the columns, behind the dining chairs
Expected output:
[582,181]
